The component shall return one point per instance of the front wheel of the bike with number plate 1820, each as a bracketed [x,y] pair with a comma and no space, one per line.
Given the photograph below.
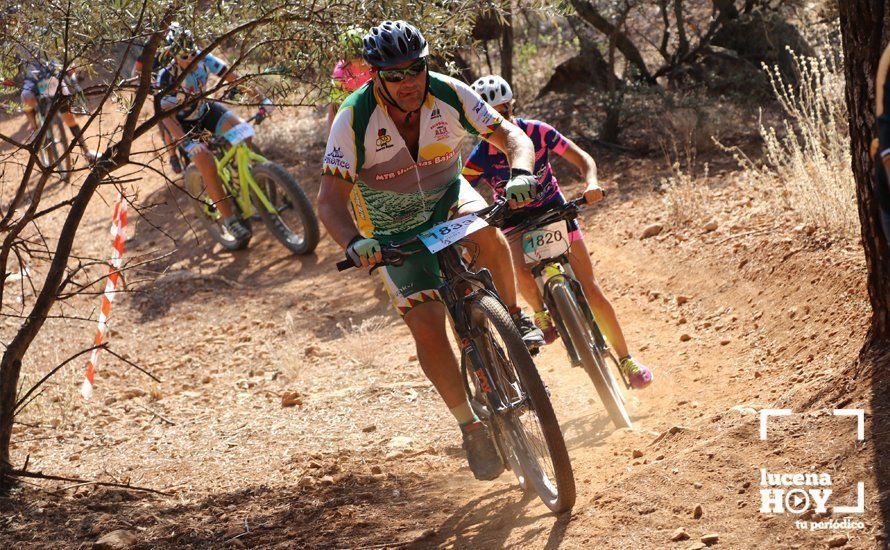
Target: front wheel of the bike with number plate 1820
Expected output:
[579,330]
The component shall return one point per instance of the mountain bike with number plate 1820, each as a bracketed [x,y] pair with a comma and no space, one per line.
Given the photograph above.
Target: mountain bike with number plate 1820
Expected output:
[545,245]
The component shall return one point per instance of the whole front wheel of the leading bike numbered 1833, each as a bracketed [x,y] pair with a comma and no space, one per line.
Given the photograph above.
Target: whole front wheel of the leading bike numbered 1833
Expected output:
[528,428]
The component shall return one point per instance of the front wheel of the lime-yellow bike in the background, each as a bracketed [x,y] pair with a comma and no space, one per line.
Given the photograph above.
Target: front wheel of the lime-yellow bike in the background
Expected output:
[292,219]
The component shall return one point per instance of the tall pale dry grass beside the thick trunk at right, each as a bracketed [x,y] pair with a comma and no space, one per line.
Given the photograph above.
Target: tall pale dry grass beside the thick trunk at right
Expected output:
[808,156]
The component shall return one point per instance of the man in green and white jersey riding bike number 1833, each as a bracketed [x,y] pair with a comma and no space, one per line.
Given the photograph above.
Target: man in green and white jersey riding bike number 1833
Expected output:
[392,169]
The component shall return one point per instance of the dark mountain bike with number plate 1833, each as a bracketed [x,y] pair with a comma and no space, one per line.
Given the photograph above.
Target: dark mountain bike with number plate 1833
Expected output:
[500,378]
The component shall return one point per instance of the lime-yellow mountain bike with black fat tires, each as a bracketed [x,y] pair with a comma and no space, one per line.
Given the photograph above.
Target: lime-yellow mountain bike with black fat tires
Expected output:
[257,186]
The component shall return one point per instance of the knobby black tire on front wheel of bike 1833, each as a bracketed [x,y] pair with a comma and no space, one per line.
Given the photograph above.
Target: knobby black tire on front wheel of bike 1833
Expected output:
[564,499]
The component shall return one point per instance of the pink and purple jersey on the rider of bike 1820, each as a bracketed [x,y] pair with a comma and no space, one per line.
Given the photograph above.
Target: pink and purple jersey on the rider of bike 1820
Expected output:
[487,163]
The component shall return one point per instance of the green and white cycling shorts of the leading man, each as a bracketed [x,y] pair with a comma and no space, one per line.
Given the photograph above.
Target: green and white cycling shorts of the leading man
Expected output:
[416,280]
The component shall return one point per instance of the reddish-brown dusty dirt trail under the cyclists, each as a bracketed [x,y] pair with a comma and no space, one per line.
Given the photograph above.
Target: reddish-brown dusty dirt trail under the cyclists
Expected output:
[369,457]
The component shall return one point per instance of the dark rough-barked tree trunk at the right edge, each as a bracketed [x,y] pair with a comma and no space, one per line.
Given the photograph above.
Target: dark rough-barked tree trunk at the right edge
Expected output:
[862,25]
